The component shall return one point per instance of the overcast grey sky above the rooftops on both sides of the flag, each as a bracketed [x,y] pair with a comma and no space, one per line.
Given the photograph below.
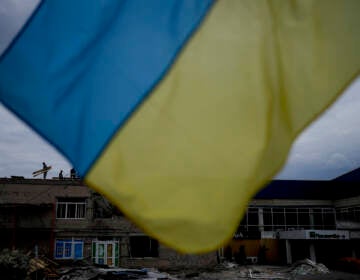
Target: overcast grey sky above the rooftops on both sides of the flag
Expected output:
[328,148]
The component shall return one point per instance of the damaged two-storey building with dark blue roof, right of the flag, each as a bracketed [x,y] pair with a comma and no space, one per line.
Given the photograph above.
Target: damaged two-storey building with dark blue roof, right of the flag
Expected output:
[291,220]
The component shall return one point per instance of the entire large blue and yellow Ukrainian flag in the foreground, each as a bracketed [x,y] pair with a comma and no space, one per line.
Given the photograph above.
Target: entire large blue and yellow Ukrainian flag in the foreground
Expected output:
[177,111]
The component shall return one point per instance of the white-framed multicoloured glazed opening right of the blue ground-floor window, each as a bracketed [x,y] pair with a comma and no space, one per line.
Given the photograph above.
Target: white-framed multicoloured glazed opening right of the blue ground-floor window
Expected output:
[106,252]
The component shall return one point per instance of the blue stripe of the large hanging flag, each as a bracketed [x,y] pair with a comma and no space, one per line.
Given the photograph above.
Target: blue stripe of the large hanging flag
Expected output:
[80,68]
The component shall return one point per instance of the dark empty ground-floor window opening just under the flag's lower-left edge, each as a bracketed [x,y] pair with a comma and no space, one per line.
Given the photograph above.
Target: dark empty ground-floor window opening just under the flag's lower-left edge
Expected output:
[143,246]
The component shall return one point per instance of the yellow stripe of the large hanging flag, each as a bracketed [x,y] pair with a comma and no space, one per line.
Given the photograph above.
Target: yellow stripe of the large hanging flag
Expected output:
[221,123]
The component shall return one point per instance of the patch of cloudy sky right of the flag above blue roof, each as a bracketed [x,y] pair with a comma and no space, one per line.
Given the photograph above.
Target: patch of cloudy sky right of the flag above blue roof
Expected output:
[331,145]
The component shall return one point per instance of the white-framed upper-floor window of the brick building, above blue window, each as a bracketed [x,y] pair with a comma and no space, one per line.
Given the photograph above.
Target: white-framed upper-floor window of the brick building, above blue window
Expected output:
[70,208]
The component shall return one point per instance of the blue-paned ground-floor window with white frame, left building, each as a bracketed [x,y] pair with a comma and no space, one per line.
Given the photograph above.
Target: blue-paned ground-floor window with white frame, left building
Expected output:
[69,249]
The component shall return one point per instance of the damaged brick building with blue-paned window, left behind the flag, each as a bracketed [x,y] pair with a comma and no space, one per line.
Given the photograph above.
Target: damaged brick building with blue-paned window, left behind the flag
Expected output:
[66,221]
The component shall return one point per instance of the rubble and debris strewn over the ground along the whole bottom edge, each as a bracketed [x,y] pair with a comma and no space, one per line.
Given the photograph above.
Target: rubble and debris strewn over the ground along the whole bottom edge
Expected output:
[17,265]
